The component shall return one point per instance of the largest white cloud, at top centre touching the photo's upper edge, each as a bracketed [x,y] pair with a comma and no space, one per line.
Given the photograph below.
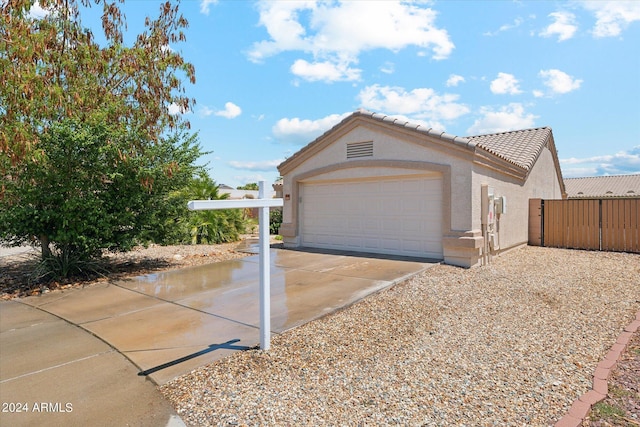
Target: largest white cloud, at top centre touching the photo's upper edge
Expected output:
[337,32]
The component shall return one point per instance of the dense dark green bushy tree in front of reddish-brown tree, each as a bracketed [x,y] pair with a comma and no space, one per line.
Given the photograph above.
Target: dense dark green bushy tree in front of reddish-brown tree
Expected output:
[91,189]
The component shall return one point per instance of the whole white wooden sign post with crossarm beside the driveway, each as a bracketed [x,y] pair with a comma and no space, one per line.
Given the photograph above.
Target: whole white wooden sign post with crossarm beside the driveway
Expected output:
[263,204]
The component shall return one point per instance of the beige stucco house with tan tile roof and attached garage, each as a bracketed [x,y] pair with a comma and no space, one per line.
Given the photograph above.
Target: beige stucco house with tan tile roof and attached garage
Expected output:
[378,184]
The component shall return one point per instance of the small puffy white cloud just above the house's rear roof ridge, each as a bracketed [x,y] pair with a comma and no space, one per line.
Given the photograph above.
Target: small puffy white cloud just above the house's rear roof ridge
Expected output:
[506,118]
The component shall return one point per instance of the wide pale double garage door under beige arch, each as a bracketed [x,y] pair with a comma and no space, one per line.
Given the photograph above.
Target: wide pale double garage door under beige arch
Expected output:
[400,216]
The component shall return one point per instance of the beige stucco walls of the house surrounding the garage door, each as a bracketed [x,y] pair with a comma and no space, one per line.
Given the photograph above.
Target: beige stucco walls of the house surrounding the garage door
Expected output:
[398,153]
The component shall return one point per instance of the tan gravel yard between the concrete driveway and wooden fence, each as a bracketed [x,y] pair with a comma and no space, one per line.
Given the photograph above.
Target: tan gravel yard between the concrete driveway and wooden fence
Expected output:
[511,344]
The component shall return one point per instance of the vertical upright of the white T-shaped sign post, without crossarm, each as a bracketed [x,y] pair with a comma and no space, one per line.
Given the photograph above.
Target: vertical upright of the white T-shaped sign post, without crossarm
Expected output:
[265,274]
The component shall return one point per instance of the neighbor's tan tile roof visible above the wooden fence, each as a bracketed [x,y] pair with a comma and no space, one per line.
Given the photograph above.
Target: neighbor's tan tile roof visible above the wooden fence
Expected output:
[597,187]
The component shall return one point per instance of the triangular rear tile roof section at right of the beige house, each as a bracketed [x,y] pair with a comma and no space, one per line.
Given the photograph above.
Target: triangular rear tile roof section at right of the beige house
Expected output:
[521,147]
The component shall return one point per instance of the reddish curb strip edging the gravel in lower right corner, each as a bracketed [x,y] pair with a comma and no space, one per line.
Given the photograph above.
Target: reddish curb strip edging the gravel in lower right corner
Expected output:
[581,406]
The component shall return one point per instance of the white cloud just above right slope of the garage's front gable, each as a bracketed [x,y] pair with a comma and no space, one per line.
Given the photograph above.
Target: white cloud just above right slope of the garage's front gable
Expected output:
[420,103]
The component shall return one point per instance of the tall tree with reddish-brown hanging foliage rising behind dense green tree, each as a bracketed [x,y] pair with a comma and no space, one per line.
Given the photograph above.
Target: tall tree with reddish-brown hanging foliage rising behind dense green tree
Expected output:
[53,69]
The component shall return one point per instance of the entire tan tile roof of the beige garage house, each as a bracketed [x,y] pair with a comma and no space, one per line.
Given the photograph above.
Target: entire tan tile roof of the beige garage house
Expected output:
[519,148]
